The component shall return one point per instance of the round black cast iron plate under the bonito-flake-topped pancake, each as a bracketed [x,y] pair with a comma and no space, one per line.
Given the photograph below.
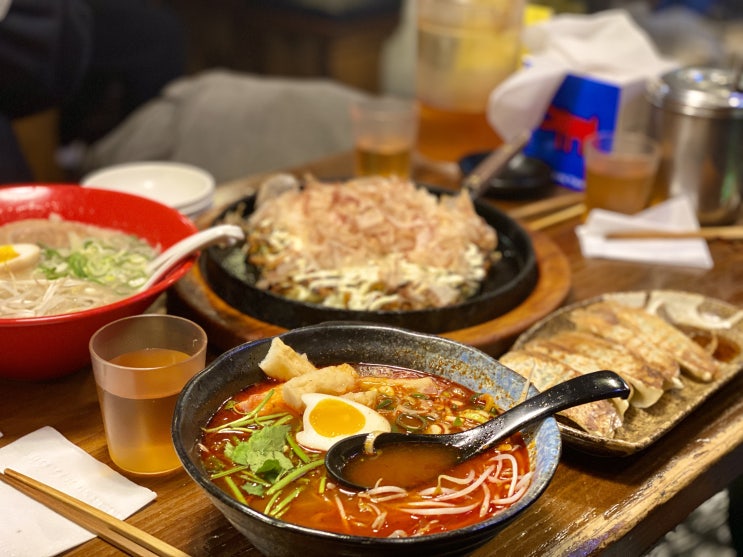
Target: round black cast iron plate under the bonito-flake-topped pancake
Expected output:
[508,283]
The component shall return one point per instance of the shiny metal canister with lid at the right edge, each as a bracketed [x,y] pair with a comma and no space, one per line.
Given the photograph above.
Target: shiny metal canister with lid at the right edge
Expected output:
[697,116]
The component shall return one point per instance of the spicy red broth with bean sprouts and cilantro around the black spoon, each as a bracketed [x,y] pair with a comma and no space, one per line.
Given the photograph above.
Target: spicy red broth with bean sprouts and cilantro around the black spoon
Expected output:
[301,492]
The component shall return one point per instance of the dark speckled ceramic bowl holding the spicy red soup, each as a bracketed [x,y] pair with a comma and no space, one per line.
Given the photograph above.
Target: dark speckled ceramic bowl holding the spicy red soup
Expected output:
[333,343]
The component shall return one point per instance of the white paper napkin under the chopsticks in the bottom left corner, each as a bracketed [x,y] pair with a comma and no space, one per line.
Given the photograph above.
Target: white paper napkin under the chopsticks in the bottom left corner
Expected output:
[28,528]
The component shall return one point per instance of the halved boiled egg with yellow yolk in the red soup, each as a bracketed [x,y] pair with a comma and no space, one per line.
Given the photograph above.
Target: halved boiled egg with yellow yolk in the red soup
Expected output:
[327,419]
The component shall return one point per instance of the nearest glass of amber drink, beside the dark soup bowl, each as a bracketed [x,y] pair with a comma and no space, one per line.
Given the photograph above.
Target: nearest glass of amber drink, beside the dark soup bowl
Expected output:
[141,364]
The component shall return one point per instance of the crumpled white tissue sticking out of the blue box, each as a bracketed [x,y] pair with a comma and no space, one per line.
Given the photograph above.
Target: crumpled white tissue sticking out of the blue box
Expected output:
[606,45]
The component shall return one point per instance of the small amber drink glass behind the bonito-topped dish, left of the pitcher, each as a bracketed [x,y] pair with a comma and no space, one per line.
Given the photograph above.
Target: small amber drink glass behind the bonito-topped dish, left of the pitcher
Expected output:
[385,131]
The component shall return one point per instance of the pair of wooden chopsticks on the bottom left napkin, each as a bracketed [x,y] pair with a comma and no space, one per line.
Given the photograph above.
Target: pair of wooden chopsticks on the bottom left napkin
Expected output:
[126,537]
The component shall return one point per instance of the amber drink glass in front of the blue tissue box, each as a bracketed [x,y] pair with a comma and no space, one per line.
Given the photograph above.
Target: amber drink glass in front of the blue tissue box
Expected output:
[620,170]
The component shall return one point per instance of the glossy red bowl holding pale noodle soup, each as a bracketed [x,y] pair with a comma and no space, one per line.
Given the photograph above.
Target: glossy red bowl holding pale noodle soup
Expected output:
[39,348]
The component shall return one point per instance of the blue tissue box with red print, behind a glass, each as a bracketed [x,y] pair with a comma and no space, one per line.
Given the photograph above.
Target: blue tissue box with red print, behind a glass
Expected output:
[581,106]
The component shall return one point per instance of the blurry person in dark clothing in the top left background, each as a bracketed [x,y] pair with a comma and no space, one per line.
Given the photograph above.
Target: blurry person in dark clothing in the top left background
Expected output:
[96,61]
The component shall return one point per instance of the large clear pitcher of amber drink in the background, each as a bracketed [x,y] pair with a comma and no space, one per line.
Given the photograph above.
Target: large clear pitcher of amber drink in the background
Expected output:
[465,49]
